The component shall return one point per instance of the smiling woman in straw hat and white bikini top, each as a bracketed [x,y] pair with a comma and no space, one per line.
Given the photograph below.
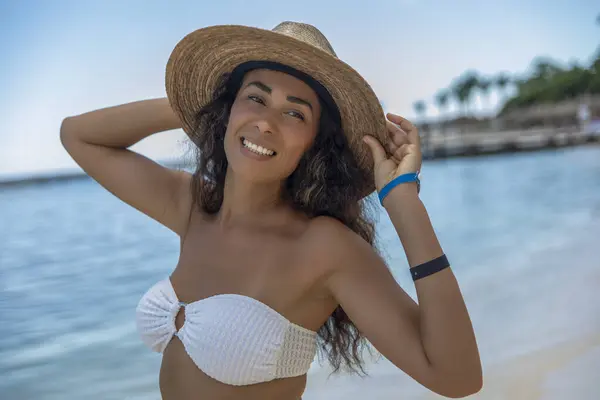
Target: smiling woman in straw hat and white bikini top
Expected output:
[277,253]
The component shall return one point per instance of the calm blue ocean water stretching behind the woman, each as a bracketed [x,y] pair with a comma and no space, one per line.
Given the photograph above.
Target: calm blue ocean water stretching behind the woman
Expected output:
[522,232]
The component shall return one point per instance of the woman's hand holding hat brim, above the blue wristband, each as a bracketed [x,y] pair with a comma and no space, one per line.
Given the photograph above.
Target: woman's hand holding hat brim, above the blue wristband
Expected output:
[403,153]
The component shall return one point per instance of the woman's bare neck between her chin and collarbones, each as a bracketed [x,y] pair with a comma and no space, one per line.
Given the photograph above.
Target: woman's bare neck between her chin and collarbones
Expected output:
[248,203]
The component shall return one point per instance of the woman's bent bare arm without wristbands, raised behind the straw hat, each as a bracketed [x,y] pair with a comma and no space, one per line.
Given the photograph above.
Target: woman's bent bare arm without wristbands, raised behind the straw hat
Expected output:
[98,141]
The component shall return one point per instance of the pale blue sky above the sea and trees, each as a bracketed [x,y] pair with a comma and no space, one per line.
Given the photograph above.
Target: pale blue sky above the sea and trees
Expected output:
[65,57]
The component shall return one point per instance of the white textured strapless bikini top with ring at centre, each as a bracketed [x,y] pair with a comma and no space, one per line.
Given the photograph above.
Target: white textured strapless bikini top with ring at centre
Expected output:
[234,339]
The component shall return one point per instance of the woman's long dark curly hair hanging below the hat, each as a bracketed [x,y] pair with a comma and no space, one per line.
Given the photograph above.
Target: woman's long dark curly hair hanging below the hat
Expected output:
[324,184]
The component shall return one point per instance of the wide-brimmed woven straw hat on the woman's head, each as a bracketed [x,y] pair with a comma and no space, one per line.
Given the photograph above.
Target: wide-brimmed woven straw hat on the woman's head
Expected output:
[203,56]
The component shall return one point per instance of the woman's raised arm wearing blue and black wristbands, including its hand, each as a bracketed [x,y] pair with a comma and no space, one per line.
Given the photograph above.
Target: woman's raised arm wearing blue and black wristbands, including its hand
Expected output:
[432,341]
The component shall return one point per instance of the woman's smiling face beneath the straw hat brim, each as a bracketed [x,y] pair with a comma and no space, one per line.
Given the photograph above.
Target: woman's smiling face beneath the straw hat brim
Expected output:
[273,121]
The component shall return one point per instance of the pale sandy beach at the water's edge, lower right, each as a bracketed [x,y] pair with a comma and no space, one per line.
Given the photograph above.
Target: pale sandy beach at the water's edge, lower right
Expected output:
[567,370]
